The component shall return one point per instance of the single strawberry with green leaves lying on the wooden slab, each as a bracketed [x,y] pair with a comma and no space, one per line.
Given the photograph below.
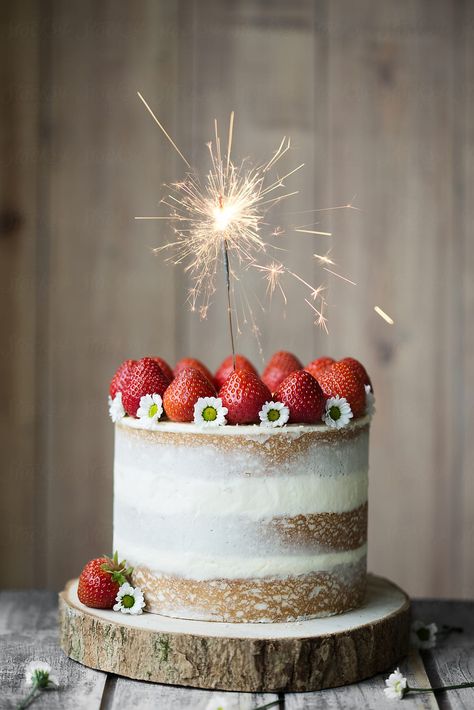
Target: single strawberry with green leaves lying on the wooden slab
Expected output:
[100,581]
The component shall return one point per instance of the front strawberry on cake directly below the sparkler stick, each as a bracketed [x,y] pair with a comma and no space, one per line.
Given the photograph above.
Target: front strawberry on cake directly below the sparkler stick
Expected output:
[244,394]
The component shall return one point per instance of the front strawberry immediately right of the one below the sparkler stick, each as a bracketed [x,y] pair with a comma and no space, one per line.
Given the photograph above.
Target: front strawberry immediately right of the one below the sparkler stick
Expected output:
[303,396]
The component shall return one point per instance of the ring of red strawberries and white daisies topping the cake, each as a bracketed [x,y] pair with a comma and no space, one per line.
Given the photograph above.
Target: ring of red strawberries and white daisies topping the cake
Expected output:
[323,390]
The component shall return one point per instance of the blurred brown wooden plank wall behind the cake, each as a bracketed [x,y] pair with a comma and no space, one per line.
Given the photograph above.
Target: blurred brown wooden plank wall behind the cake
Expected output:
[378,99]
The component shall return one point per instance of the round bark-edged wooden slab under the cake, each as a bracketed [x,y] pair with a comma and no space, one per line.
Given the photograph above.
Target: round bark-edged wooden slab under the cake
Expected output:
[307,655]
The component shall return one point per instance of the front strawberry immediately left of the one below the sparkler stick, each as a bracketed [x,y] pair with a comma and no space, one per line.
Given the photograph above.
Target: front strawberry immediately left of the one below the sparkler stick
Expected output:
[183,393]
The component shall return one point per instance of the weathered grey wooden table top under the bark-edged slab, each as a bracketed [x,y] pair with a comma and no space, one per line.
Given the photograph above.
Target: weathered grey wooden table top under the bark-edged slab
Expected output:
[28,631]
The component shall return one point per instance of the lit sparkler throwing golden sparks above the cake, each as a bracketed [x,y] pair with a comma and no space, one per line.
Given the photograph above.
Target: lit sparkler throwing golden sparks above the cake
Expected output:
[221,218]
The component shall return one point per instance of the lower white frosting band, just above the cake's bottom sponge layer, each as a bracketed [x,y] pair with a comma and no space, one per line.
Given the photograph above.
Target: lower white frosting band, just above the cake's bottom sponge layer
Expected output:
[201,567]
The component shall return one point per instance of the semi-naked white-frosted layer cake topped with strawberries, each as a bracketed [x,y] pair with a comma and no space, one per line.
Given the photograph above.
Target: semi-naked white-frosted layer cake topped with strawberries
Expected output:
[245,522]
